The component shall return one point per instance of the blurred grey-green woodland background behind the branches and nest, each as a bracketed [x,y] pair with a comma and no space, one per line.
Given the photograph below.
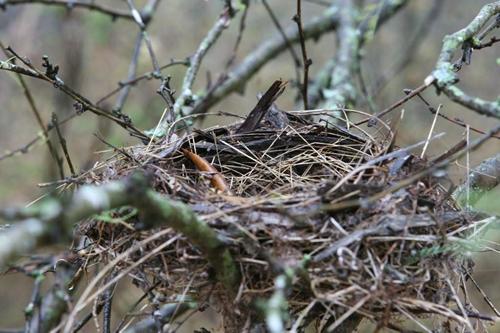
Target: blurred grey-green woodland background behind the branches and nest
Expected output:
[94,52]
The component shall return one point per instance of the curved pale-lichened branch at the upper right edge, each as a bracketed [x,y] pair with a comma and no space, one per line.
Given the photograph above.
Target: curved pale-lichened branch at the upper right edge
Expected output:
[445,71]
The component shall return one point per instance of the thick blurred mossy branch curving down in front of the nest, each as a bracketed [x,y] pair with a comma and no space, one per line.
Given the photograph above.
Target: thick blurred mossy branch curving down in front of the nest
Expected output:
[55,219]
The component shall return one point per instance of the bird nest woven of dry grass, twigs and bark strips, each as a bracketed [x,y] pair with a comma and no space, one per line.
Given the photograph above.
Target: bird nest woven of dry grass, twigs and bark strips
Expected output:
[330,209]
